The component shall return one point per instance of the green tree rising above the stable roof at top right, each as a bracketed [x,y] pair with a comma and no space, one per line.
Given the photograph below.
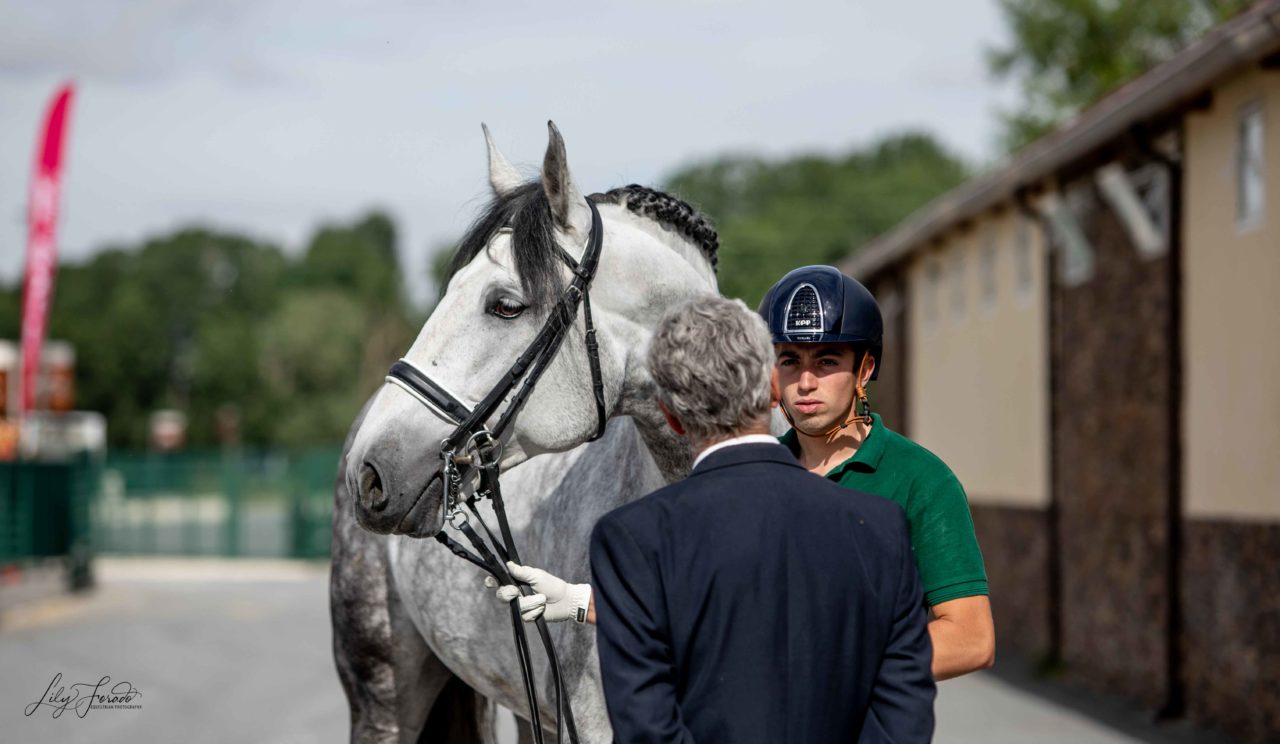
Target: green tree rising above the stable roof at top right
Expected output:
[1067,54]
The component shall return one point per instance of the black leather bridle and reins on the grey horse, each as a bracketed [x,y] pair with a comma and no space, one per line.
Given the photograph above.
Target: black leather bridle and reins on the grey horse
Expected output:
[473,446]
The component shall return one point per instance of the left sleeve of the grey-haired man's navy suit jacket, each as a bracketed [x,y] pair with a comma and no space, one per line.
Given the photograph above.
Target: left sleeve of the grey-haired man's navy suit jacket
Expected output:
[633,640]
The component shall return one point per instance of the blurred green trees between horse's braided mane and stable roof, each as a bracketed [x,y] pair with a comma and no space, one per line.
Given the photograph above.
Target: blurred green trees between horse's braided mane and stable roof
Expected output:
[774,217]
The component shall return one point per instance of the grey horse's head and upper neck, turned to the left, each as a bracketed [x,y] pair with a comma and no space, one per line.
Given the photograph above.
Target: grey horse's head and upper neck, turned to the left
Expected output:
[509,275]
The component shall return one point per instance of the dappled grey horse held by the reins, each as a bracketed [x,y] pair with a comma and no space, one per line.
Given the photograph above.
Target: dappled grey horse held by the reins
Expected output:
[423,651]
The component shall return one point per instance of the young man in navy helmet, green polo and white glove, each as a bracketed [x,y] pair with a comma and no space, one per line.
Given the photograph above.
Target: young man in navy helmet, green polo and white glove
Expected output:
[828,334]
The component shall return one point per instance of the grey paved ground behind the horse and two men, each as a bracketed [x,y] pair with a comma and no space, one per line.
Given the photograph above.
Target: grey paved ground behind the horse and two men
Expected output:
[240,652]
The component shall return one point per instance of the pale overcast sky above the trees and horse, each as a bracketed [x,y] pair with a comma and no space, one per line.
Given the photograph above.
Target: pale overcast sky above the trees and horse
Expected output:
[271,117]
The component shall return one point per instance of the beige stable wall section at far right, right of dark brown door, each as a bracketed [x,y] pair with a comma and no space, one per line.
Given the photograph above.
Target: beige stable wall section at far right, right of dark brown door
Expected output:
[1232,314]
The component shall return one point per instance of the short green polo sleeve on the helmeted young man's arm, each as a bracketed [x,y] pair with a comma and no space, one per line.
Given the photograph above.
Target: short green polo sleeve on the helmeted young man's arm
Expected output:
[944,540]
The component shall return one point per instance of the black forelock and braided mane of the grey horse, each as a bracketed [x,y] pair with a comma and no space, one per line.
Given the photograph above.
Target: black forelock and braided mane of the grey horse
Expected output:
[538,259]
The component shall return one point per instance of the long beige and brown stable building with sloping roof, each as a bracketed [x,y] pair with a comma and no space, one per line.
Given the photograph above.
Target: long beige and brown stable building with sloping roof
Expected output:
[1090,335]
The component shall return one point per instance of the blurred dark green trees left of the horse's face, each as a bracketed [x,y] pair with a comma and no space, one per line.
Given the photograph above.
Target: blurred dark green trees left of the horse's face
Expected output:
[202,321]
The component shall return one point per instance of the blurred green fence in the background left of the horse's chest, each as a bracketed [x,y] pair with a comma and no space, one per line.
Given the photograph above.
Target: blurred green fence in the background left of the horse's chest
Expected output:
[234,503]
